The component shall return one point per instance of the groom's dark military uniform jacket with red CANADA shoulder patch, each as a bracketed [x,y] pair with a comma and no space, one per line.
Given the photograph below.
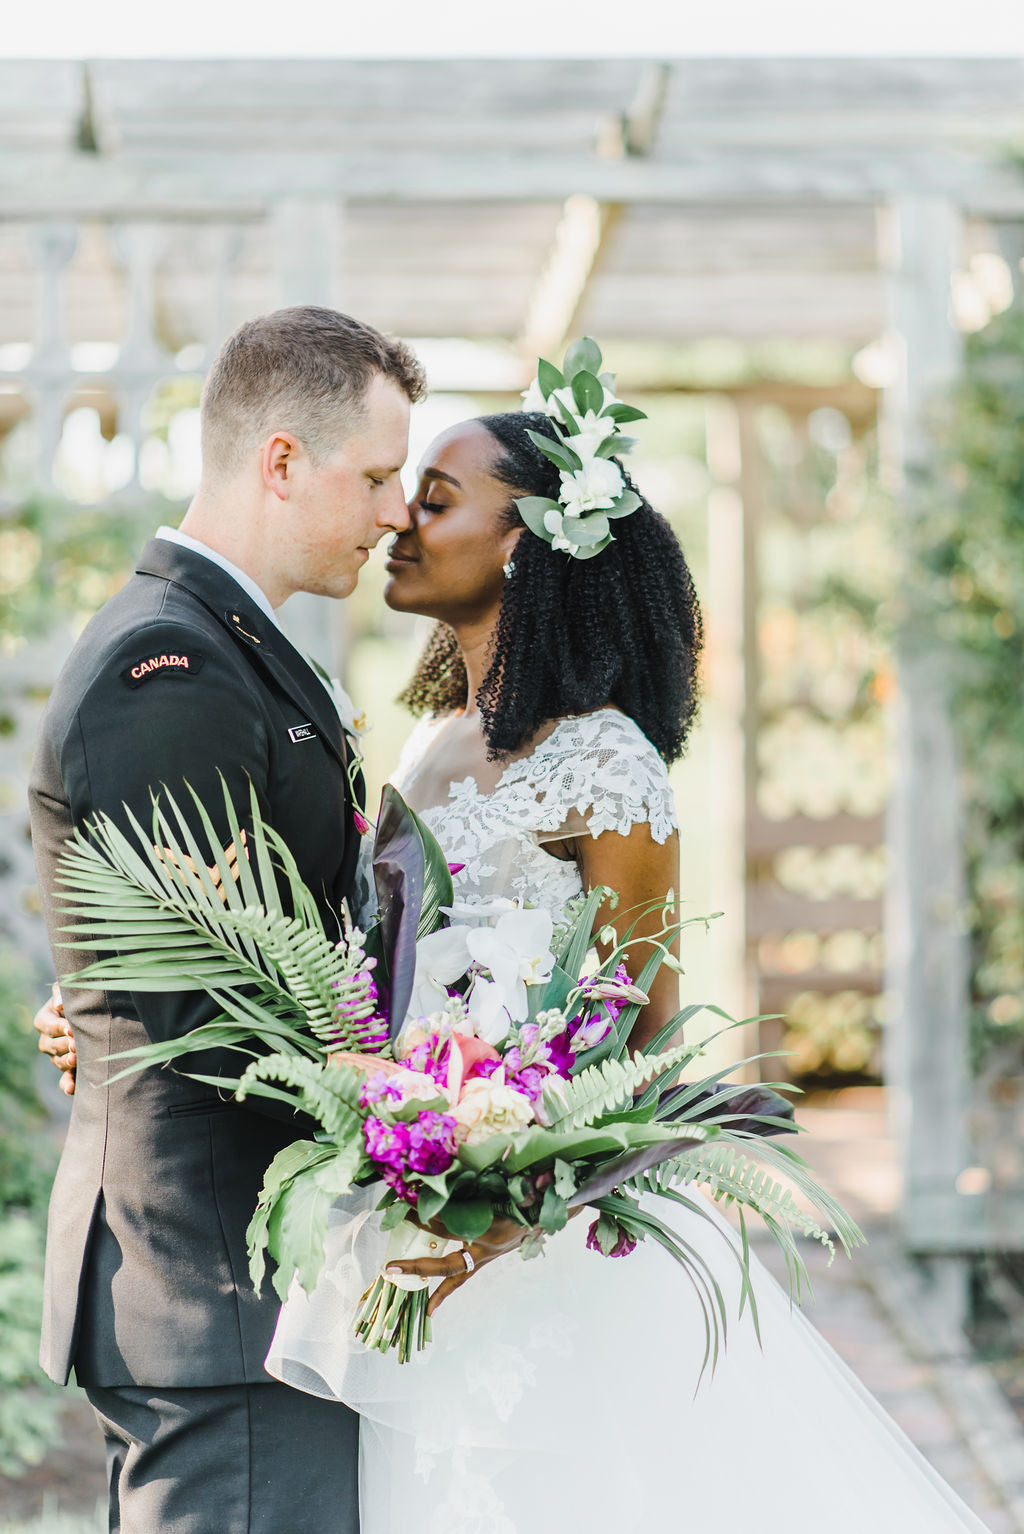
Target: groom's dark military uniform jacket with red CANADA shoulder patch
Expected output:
[180,679]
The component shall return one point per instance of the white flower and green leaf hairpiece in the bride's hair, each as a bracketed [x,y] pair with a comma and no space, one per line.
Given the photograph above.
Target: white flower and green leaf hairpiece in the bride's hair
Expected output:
[586,415]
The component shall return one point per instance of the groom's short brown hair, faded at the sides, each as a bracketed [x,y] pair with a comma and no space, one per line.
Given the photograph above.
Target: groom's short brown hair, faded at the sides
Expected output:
[303,370]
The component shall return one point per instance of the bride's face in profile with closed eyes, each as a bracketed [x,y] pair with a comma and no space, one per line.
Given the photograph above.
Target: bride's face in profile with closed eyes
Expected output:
[448,565]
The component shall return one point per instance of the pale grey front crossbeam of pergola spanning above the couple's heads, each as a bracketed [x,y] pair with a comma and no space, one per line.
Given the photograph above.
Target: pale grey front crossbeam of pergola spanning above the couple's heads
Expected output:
[215,185]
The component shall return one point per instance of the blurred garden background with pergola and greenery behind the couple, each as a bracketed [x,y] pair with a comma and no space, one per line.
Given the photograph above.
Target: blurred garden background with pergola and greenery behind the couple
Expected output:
[809,274]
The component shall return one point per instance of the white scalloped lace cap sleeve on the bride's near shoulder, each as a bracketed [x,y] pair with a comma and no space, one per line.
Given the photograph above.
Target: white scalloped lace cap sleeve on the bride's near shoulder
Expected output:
[599,769]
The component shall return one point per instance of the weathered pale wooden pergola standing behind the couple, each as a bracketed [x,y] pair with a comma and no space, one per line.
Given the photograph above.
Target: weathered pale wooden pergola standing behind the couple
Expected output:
[149,208]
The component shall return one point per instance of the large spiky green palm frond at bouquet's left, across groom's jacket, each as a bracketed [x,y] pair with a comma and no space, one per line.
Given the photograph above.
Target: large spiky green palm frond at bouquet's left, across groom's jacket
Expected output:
[172,915]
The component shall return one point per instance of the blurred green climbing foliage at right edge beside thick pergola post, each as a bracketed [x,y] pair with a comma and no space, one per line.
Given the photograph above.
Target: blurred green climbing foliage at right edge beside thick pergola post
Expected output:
[968,565]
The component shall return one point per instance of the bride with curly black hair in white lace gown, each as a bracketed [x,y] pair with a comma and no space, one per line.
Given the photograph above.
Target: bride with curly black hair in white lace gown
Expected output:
[562,1392]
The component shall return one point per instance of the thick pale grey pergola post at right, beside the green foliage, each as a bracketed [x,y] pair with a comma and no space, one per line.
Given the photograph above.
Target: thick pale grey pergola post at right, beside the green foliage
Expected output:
[925,932]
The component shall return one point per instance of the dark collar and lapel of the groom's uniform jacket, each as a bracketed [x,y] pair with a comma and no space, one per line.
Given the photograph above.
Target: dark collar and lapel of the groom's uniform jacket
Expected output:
[254,630]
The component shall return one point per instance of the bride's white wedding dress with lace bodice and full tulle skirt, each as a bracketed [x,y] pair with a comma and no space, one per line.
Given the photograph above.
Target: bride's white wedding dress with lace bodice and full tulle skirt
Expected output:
[559,1394]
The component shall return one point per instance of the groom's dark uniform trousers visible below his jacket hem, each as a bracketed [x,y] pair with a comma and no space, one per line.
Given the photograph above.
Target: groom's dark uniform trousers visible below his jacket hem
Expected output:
[229,1460]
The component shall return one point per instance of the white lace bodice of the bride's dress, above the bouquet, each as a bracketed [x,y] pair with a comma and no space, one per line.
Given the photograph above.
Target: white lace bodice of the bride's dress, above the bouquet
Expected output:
[597,772]
